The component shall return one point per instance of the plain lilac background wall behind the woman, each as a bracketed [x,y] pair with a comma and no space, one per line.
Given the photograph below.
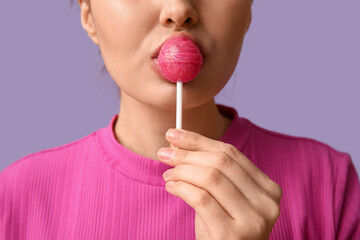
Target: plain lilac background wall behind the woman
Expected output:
[298,74]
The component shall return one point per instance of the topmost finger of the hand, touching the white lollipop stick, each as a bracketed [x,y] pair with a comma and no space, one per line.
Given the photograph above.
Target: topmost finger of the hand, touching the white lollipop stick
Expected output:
[193,141]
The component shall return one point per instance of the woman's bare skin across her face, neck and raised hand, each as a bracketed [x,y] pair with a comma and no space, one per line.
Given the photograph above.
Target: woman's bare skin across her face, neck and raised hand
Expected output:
[232,198]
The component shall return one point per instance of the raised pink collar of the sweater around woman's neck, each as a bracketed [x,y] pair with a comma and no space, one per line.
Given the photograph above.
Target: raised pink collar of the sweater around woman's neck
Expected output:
[149,171]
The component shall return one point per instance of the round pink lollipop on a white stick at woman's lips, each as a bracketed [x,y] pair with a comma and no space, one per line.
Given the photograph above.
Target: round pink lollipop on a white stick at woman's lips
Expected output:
[180,61]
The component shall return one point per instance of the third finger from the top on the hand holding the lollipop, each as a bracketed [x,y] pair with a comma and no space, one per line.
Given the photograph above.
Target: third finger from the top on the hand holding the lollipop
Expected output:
[217,184]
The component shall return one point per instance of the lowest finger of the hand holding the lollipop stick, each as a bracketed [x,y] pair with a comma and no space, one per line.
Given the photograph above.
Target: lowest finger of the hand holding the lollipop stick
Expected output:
[205,205]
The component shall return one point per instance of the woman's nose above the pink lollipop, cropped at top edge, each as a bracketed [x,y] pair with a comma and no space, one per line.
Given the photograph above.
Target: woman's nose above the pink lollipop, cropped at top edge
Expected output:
[178,14]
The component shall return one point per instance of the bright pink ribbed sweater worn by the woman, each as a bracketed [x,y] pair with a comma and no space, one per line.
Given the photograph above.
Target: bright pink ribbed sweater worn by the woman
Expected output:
[94,188]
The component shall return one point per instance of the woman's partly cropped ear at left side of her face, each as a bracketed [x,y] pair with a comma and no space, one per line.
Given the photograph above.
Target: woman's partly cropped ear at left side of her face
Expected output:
[87,21]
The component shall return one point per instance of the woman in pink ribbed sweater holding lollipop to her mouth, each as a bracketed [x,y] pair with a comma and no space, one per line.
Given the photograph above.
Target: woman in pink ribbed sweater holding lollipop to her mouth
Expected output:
[222,178]
